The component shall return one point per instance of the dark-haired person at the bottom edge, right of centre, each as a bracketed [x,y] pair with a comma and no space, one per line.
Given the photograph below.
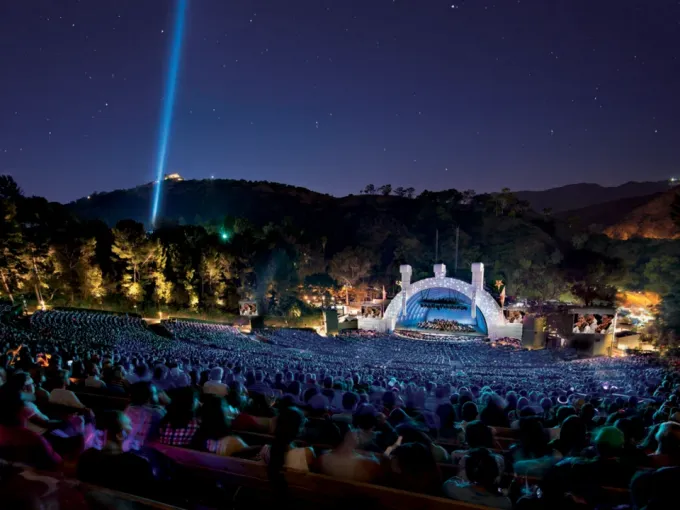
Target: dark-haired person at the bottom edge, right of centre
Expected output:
[480,485]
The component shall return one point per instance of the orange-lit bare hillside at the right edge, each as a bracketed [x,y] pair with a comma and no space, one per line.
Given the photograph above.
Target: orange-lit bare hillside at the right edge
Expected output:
[651,221]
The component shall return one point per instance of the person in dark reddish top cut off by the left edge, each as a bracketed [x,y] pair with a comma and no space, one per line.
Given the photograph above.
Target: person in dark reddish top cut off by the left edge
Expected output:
[17,442]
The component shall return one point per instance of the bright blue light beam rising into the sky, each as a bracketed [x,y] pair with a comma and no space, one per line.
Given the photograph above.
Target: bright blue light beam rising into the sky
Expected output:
[168,104]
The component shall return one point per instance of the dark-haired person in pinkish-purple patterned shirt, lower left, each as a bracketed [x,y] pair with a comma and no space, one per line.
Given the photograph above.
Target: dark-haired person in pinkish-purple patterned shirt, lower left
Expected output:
[145,415]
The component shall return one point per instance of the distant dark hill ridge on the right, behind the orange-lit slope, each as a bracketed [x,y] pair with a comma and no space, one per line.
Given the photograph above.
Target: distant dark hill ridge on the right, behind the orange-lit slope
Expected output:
[581,195]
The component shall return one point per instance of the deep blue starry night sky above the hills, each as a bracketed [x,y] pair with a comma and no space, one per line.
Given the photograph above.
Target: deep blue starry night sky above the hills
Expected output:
[335,94]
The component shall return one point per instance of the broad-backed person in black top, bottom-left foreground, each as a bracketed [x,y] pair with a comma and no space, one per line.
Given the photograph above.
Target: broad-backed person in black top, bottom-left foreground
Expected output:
[139,473]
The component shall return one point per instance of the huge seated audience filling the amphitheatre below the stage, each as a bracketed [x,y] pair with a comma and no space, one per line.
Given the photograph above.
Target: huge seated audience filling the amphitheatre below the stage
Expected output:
[456,419]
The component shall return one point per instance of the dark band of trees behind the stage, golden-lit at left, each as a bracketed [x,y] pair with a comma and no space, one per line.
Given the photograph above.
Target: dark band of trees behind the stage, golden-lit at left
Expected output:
[349,251]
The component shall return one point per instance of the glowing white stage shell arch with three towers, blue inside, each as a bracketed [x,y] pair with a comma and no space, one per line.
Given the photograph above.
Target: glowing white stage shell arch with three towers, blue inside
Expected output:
[405,308]
